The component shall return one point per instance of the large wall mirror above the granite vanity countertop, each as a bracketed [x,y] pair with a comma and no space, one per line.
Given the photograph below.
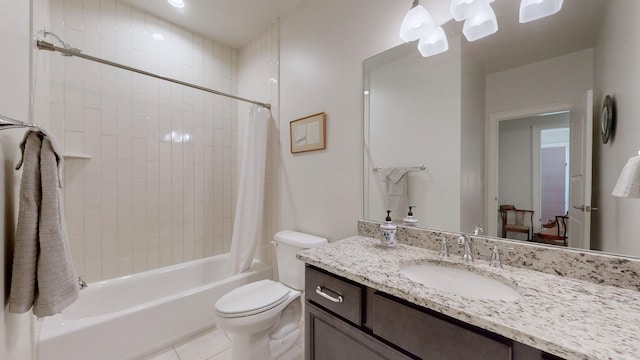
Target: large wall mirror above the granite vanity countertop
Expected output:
[508,120]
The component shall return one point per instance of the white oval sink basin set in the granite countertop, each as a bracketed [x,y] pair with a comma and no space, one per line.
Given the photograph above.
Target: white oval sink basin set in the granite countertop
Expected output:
[457,280]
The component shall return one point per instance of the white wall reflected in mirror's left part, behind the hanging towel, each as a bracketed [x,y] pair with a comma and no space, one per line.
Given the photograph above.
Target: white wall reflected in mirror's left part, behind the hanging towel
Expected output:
[415,120]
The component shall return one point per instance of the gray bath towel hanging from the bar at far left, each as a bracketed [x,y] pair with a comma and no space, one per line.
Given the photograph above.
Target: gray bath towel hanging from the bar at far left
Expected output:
[43,274]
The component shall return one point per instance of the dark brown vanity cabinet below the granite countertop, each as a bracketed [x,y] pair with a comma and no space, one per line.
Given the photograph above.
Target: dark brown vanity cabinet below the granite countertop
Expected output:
[348,321]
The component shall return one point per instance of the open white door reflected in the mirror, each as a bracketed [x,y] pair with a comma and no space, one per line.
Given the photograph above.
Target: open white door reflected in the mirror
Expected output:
[580,172]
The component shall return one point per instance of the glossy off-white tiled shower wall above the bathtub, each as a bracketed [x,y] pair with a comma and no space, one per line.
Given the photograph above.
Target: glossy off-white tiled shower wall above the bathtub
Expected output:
[160,186]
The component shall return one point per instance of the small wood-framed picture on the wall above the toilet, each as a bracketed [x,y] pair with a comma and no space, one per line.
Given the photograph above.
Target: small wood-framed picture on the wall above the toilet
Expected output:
[308,133]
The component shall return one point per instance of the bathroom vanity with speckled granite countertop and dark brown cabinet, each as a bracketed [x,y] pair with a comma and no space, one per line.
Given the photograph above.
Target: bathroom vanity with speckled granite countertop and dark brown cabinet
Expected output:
[360,305]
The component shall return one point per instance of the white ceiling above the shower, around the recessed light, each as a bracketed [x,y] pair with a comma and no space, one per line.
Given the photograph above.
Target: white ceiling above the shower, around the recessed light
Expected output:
[231,22]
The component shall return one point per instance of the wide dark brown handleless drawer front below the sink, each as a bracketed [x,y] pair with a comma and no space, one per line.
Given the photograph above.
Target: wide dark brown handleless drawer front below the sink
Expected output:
[430,337]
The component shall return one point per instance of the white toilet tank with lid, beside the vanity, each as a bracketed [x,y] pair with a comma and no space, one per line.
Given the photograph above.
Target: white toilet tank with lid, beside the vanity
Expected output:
[288,243]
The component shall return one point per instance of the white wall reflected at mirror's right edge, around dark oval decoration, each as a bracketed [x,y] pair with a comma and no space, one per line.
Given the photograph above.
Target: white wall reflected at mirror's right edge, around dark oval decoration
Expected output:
[617,55]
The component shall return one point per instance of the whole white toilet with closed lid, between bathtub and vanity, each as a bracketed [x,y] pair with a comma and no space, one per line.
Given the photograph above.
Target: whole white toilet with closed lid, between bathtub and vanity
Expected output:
[263,317]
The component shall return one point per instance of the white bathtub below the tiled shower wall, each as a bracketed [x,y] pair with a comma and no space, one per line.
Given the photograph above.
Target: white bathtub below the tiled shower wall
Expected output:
[135,315]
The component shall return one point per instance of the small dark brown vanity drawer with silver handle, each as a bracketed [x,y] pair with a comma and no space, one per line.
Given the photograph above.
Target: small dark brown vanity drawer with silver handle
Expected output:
[335,294]
